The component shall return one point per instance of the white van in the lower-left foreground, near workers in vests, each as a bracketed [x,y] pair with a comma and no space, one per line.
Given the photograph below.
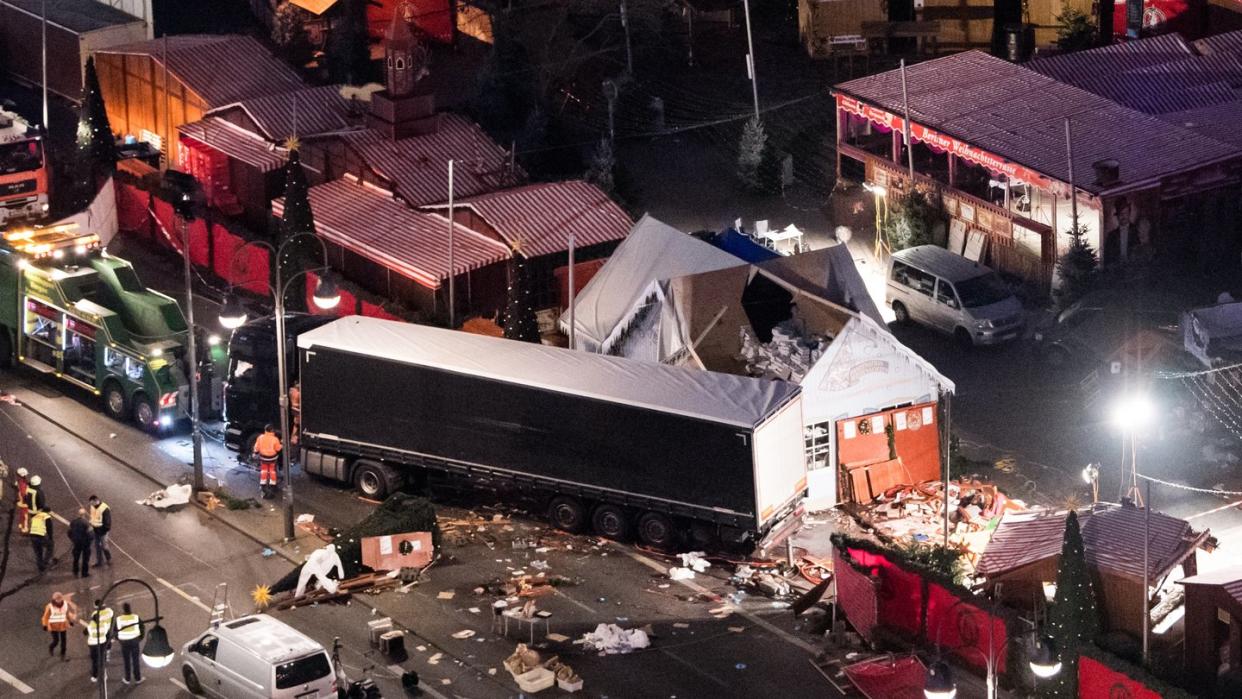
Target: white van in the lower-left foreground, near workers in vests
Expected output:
[258,657]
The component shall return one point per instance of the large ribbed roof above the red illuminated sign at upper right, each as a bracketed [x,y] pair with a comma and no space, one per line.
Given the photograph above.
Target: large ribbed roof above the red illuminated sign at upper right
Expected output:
[1019,115]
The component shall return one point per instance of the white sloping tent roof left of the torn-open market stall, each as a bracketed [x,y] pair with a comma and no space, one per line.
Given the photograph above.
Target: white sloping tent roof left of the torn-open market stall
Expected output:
[653,251]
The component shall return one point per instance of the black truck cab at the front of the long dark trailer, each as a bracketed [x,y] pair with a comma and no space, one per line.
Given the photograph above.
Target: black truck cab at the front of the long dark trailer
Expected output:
[253,387]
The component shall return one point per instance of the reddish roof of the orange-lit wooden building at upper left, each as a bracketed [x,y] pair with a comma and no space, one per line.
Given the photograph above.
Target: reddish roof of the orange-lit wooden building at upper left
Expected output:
[220,69]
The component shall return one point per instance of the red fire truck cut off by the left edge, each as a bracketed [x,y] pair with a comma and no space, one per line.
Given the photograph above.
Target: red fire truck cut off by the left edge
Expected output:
[23,169]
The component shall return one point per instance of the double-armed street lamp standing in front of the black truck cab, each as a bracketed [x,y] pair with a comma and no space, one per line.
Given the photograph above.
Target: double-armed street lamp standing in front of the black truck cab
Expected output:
[233,316]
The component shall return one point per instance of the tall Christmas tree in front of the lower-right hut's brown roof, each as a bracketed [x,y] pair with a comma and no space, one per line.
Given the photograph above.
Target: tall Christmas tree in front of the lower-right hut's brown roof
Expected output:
[1074,620]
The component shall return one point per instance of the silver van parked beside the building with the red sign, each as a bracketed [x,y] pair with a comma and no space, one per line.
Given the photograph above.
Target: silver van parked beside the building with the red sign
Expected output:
[948,292]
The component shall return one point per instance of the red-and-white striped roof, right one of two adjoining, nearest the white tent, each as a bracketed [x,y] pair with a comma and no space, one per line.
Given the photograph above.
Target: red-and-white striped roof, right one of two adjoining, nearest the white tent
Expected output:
[538,219]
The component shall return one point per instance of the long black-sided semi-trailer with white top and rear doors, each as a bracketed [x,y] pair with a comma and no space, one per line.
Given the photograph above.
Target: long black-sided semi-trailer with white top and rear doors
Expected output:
[618,445]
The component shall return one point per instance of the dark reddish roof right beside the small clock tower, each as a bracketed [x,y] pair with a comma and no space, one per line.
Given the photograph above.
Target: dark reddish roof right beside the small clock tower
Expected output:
[418,167]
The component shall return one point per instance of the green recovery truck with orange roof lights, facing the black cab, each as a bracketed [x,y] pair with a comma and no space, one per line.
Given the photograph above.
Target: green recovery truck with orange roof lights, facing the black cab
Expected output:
[70,310]
